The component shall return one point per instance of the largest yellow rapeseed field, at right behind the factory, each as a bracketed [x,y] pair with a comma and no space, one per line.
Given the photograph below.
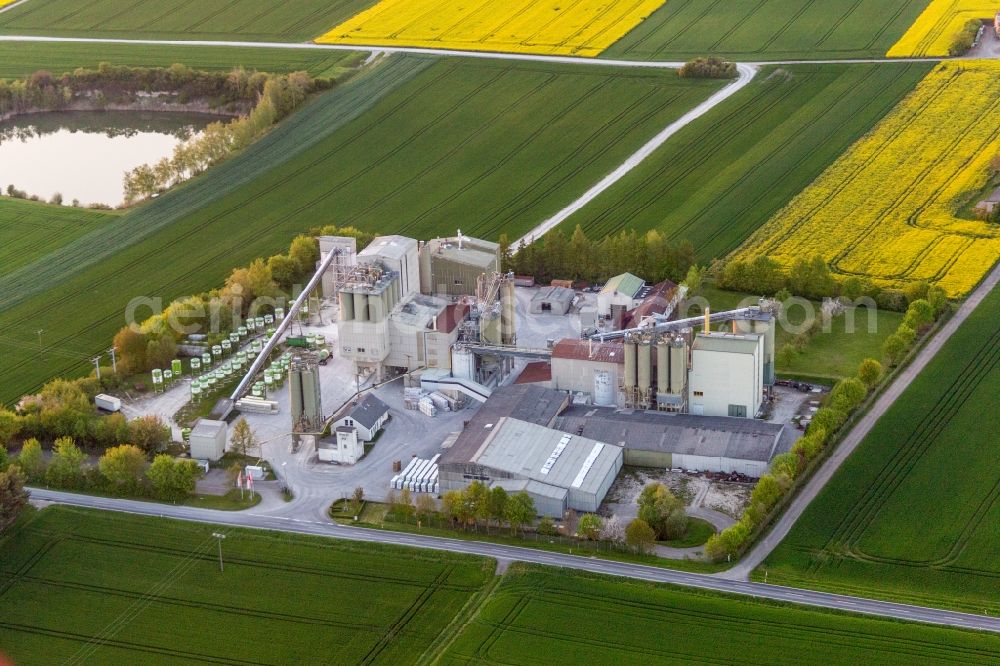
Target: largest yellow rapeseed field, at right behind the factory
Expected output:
[891,208]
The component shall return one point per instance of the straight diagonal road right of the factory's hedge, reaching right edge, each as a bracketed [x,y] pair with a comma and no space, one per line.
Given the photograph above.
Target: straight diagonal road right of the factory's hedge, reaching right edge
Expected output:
[857,434]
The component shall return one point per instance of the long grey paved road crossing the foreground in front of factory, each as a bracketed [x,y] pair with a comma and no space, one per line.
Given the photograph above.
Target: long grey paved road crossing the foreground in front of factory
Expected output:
[504,553]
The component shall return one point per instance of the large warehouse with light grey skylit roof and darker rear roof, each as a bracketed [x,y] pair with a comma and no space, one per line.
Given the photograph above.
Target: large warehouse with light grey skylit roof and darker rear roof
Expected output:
[510,443]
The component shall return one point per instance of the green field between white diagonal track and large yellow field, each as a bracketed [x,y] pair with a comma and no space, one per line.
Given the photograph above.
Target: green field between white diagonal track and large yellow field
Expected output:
[727,173]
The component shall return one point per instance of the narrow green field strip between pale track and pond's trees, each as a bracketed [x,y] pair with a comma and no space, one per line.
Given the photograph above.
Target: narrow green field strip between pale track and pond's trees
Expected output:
[22,58]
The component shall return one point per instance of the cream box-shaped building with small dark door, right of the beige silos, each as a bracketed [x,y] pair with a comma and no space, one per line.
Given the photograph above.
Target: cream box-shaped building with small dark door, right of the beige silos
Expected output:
[727,375]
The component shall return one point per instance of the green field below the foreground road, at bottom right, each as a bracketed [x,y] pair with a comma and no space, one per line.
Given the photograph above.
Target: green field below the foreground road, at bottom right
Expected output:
[541,616]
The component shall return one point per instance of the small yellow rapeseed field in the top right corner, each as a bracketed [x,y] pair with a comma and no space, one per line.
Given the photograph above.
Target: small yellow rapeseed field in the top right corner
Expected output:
[932,32]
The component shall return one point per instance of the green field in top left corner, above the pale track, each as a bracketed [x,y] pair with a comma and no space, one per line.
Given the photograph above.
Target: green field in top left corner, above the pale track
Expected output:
[235,20]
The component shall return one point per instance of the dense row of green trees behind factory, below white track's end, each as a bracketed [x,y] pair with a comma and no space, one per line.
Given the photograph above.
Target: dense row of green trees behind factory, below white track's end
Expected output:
[578,257]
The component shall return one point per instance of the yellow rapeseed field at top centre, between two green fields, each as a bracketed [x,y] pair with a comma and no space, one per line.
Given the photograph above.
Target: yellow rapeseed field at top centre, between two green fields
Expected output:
[556,27]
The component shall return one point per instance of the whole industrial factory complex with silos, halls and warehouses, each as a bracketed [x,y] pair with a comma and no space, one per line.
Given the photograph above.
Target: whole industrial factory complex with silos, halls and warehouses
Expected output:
[623,382]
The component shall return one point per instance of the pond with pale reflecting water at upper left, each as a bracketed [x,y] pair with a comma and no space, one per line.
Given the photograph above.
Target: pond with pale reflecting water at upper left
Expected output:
[84,155]
